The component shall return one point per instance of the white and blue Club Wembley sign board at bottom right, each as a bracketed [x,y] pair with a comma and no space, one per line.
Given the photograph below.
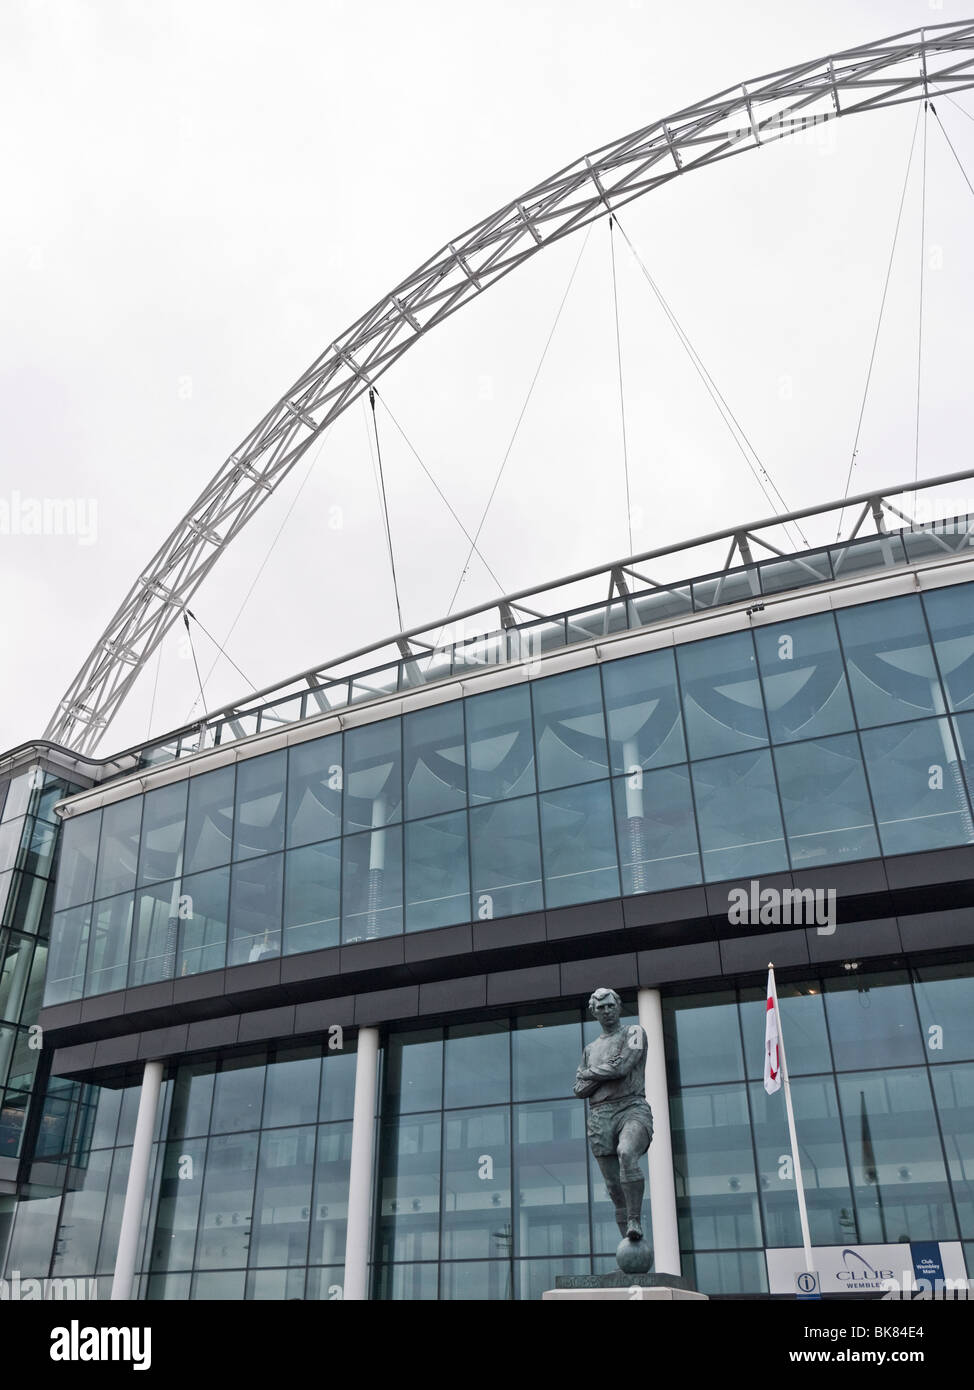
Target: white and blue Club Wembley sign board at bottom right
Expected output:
[869,1270]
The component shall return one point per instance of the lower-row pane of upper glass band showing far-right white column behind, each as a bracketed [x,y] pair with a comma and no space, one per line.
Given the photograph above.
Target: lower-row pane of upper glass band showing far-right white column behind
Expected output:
[916,785]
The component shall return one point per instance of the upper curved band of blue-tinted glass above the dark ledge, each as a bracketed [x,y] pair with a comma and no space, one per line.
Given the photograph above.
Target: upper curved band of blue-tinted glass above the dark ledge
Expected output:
[816,742]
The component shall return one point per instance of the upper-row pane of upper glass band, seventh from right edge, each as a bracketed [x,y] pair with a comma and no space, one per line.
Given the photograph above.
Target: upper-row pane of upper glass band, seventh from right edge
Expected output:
[501,747]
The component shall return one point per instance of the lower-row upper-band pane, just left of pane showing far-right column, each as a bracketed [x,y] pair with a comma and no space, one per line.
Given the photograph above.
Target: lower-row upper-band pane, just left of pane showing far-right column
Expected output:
[829,817]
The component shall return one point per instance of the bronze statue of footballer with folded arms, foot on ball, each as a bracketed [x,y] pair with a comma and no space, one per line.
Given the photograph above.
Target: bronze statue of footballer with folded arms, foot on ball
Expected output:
[620,1124]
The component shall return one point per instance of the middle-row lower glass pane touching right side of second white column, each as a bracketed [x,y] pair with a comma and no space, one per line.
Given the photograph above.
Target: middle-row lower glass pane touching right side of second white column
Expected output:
[409,1189]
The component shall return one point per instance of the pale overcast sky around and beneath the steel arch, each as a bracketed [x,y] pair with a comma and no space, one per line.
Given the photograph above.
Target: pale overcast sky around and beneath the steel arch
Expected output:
[201,195]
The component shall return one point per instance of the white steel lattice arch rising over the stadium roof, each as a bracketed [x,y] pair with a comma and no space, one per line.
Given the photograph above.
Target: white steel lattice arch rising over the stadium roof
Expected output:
[882,74]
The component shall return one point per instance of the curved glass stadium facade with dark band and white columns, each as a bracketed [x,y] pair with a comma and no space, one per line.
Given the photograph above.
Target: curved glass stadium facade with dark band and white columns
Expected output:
[317,968]
